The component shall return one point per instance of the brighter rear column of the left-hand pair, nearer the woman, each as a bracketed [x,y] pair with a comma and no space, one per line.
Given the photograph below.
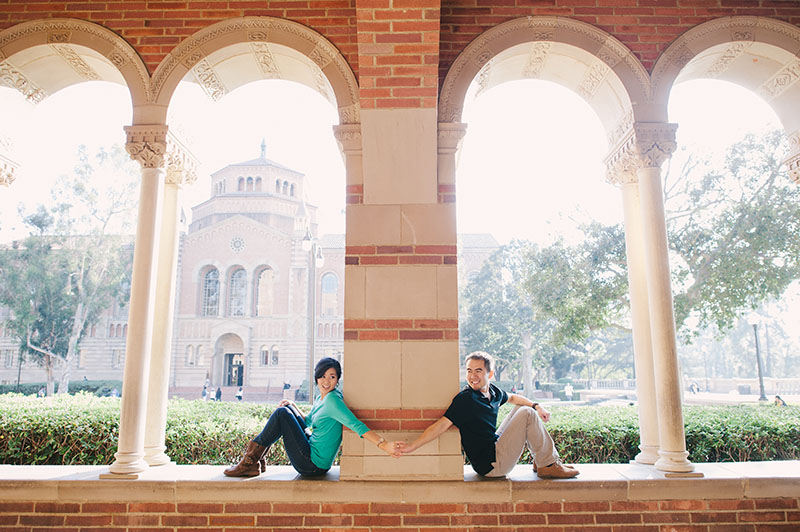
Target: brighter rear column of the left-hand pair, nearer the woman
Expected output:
[180,169]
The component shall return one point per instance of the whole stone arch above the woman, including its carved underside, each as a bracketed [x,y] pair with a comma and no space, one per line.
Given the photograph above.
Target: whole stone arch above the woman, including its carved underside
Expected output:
[254,35]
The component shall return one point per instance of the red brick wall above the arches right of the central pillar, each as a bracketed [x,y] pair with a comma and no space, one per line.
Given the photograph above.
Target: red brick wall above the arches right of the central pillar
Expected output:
[647,27]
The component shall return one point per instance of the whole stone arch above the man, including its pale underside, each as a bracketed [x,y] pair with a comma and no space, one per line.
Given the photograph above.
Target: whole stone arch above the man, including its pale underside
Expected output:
[612,82]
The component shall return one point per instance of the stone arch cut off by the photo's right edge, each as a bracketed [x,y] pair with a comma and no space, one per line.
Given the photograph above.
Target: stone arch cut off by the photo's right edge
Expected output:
[727,48]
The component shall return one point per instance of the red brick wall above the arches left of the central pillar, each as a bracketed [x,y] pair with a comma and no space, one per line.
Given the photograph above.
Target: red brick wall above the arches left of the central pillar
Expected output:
[155,27]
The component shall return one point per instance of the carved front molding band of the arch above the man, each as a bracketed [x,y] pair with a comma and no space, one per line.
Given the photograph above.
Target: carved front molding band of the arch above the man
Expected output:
[494,41]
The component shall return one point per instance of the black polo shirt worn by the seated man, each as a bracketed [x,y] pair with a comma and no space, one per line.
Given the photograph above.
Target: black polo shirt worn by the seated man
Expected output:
[476,419]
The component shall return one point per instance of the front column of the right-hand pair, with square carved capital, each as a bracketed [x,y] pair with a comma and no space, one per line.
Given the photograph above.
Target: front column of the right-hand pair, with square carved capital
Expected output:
[655,142]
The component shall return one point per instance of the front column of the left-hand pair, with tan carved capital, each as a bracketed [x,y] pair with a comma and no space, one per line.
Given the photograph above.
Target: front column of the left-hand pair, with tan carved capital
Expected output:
[146,144]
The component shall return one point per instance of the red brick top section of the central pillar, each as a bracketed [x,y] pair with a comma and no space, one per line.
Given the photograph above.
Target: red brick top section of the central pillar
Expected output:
[398,53]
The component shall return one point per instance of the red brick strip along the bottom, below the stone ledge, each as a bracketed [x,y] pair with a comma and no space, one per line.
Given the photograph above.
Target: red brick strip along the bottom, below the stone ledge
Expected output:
[750,515]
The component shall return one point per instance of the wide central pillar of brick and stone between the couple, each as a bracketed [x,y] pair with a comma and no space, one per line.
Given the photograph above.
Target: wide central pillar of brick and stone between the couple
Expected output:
[401,311]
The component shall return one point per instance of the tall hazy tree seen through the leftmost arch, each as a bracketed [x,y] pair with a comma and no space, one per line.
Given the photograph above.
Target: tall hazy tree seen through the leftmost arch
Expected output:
[75,262]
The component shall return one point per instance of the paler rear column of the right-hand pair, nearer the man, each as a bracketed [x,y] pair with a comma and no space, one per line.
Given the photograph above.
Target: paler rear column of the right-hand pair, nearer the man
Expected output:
[622,164]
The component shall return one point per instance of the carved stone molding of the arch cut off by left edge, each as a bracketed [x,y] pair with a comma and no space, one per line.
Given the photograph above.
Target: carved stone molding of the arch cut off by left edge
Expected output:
[66,31]
